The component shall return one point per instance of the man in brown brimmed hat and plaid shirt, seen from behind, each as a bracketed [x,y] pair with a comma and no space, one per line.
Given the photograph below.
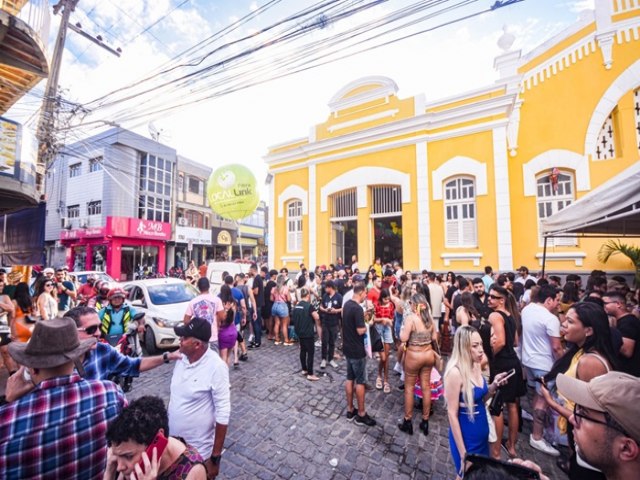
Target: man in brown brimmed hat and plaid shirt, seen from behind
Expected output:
[58,430]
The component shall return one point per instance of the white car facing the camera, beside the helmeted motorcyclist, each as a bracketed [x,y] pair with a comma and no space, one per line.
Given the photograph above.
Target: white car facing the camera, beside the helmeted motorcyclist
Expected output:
[164,302]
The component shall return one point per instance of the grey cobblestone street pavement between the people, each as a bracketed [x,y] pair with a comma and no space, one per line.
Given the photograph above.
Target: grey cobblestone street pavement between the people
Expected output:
[283,426]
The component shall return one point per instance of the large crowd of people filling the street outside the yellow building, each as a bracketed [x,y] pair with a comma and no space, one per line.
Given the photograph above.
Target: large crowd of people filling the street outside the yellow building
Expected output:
[505,337]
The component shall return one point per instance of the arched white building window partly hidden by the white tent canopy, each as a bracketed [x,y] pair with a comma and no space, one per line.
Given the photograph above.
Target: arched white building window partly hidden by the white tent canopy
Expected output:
[555,191]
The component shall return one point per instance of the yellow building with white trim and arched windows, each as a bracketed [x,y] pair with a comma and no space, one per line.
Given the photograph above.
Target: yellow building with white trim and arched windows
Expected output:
[463,182]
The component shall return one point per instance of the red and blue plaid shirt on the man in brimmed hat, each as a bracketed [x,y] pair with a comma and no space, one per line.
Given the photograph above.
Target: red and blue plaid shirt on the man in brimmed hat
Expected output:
[58,430]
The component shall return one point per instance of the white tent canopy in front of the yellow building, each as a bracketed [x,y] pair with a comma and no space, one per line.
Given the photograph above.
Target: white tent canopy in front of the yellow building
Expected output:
[612,209]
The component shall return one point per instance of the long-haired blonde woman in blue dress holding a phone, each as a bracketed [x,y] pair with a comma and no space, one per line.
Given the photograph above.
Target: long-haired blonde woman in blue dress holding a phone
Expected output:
[465,390]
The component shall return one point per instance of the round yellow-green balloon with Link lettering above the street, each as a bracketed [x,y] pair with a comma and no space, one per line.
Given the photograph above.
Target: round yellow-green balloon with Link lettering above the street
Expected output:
[232,192]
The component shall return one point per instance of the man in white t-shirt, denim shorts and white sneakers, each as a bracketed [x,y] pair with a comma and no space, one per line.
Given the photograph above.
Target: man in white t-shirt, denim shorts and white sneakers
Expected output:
[540,348]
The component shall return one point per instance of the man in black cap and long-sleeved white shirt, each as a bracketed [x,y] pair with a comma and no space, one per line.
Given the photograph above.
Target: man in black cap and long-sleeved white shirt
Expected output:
[200,401]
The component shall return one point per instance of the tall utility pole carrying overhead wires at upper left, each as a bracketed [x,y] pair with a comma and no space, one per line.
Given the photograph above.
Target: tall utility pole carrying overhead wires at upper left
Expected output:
[45,125]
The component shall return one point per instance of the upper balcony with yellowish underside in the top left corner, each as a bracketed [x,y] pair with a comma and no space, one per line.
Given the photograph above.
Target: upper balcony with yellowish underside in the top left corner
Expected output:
[24,32]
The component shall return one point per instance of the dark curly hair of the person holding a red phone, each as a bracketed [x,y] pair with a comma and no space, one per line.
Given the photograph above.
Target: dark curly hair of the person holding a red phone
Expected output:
[139,422]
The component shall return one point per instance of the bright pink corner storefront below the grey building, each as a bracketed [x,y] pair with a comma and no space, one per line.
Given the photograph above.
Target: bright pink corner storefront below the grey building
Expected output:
[124,247]
